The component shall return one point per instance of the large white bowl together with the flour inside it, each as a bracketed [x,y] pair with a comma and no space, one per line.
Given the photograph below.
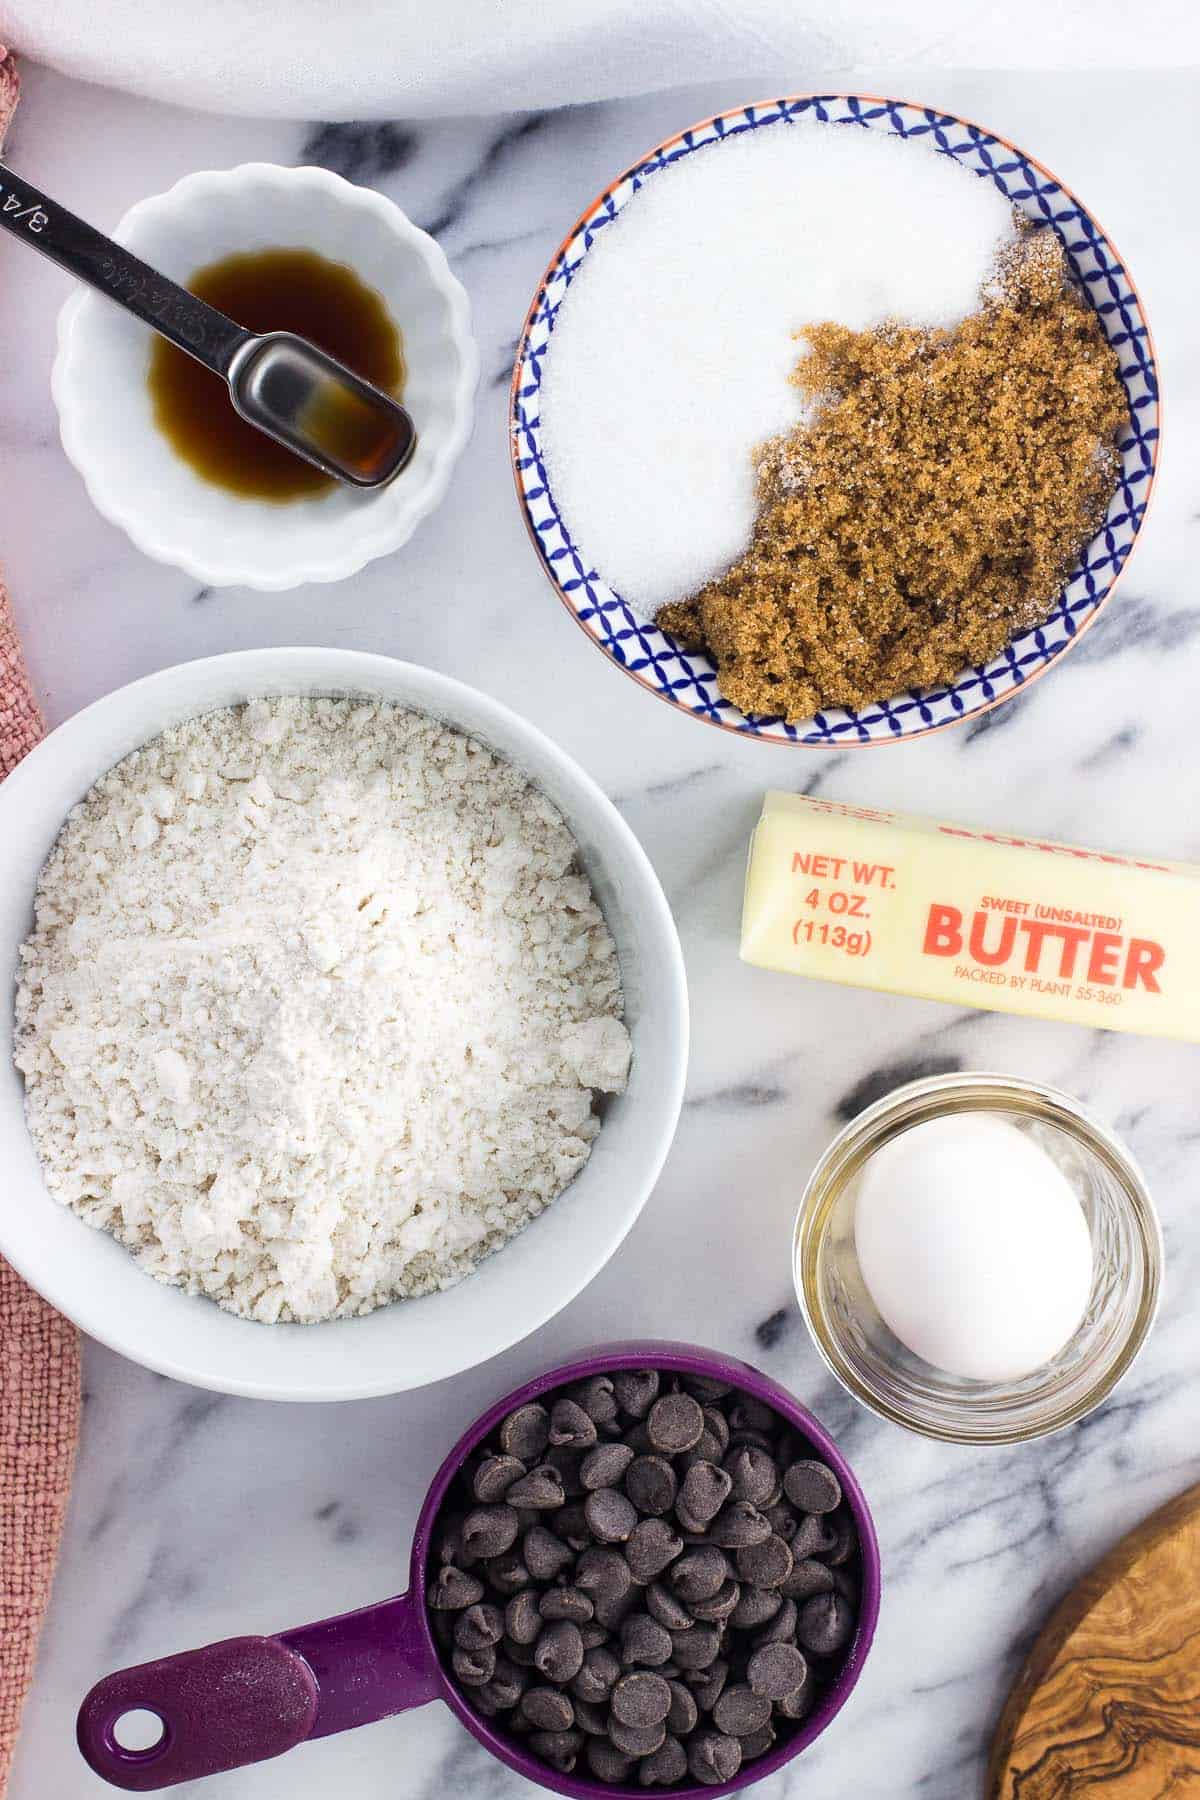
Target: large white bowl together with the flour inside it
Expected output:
[348,1027]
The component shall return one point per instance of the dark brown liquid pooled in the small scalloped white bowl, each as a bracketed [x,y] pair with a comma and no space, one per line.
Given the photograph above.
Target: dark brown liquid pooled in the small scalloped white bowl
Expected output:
[269,291]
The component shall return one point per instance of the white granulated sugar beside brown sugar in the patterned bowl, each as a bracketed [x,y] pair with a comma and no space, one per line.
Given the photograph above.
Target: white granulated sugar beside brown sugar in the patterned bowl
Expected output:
[674,345]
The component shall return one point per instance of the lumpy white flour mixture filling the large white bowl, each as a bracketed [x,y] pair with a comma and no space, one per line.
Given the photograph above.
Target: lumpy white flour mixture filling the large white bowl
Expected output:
[314,1007]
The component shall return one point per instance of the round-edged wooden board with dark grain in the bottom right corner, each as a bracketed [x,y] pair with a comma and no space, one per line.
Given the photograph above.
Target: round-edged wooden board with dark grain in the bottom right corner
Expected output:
[1107,1705]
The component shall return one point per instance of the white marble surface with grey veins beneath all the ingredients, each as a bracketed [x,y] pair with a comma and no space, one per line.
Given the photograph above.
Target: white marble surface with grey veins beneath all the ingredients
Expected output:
[199,1516]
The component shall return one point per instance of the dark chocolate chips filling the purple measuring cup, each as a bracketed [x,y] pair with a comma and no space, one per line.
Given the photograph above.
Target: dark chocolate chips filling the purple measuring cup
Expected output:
[647,1576]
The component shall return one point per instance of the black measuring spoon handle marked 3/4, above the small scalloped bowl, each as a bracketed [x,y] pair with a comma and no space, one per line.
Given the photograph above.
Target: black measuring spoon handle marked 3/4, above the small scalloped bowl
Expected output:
[85,253]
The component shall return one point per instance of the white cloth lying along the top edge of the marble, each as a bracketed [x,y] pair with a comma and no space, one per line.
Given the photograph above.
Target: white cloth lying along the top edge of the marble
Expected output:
[420,58]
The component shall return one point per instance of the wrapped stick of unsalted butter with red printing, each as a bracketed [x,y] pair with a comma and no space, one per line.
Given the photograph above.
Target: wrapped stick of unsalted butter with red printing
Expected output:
[909,906]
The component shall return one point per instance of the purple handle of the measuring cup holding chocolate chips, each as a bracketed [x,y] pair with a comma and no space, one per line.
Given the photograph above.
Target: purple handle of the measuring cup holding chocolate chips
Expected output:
[247,1700]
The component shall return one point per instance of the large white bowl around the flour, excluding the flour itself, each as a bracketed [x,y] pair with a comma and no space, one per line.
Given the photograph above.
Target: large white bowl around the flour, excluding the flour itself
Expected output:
[91,1279]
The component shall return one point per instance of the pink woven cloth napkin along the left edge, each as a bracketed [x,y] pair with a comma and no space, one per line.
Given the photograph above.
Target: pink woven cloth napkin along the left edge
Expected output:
[39,1349]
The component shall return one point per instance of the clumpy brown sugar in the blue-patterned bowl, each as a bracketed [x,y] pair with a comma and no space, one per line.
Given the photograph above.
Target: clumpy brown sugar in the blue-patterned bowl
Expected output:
[929,508]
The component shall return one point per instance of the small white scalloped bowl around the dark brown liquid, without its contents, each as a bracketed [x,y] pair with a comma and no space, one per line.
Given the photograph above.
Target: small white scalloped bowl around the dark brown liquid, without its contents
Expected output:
[136,478]
